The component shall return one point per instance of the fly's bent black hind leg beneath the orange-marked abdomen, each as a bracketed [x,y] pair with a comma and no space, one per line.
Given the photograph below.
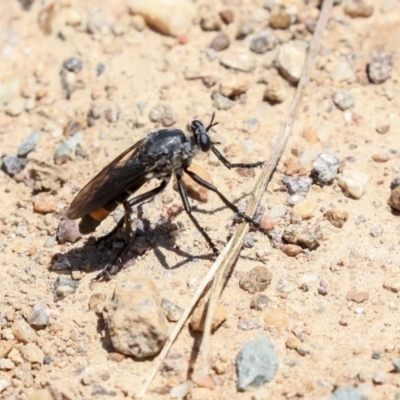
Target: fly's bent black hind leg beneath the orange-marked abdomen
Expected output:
[117,264]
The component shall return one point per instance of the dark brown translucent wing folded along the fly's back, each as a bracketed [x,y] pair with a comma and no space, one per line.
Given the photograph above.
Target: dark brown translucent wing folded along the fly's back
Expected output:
[112,180]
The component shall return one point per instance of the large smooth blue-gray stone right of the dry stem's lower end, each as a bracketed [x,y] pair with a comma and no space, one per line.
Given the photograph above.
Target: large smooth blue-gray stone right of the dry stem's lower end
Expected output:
[256,363]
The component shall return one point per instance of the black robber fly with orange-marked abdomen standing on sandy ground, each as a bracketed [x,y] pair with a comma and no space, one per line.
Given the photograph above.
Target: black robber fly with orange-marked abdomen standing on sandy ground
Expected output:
[160,155]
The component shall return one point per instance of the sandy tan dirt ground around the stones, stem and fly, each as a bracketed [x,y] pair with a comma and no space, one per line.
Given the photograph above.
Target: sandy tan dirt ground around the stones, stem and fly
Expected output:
[332,312]
